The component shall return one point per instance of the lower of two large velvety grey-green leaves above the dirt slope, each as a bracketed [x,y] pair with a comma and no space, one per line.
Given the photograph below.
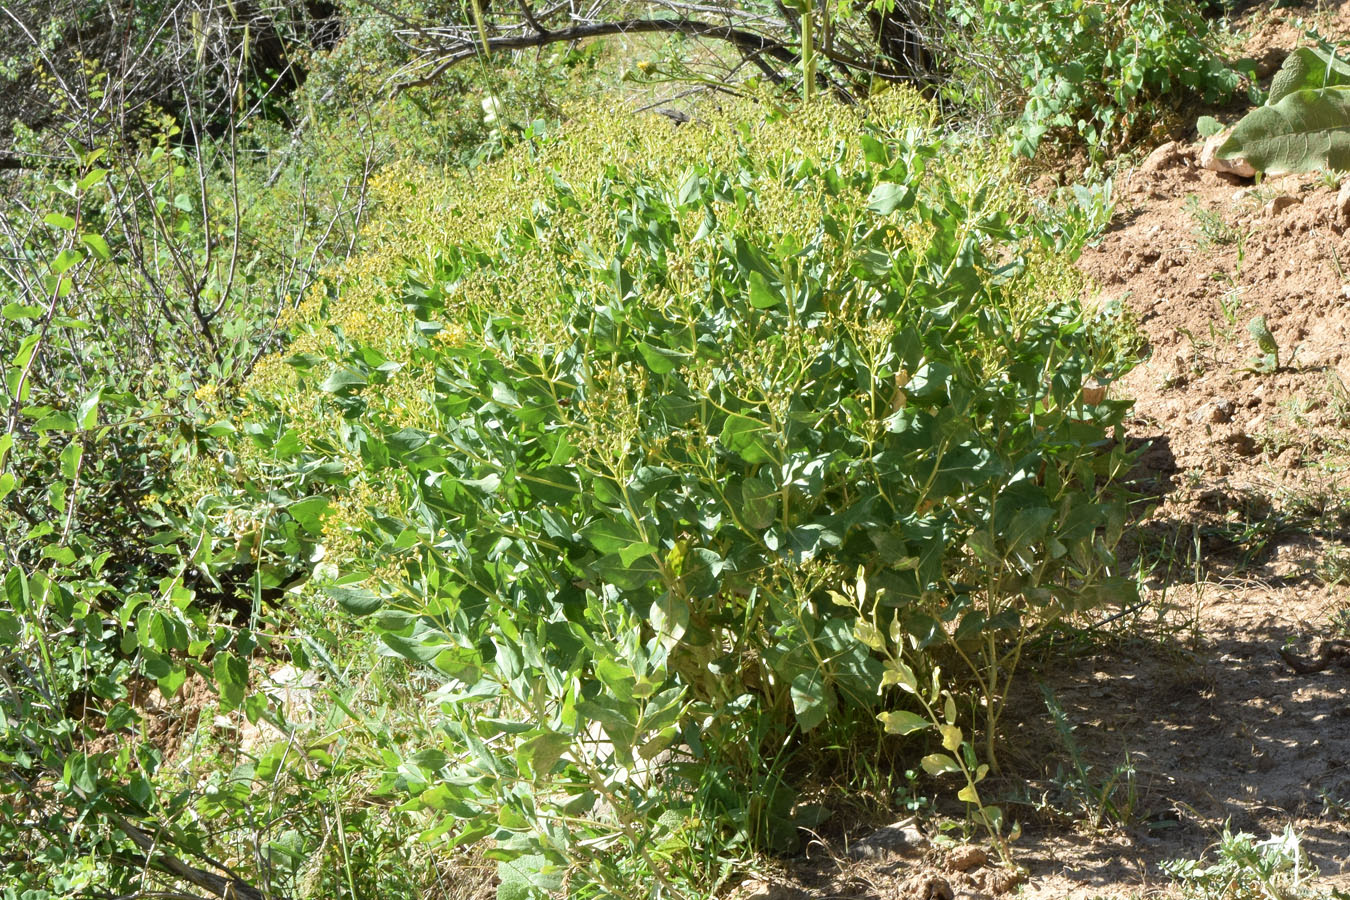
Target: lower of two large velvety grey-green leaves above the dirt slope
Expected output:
[1306,132]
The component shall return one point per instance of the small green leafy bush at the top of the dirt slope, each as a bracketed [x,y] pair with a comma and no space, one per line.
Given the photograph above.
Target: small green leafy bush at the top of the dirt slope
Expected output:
[1094,71]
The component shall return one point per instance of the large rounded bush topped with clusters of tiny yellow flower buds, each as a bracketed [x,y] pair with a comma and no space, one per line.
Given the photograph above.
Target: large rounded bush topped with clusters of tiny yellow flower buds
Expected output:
[618,419]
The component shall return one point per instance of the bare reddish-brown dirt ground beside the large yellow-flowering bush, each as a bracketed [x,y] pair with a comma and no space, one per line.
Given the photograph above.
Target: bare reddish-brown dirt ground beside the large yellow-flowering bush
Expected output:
[1189,719]
